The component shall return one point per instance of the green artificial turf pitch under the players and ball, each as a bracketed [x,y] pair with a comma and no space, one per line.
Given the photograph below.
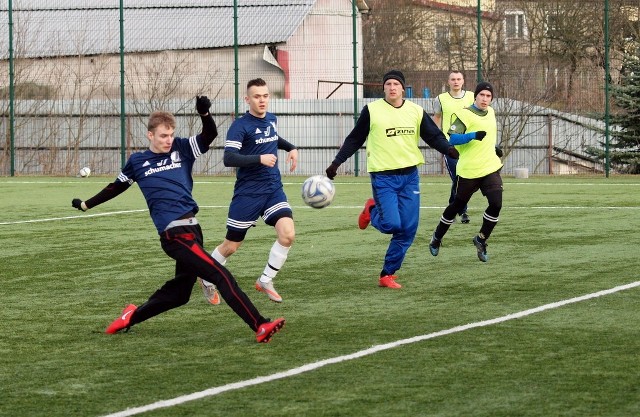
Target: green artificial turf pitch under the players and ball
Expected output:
[66,275]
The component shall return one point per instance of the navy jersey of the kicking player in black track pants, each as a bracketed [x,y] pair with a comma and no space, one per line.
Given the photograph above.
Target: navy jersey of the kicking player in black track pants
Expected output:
[165,179]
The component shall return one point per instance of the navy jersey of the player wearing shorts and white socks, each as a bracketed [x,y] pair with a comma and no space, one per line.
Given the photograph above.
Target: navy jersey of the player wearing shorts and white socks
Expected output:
[250,135]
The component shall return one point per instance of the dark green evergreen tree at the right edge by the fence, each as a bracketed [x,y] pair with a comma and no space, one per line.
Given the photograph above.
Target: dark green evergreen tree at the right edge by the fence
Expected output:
[624,144]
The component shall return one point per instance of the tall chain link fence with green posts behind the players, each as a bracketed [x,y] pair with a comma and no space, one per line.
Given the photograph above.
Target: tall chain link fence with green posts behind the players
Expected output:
[80,77]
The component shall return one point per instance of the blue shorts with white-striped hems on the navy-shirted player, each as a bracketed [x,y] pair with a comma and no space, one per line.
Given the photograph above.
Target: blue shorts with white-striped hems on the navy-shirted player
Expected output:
[245,210]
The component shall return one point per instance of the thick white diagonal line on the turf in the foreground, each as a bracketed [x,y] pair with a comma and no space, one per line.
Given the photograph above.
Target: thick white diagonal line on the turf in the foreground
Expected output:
[374,349]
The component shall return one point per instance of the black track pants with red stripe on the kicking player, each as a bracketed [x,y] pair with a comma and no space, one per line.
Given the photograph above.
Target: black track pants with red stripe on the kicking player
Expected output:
[185,245]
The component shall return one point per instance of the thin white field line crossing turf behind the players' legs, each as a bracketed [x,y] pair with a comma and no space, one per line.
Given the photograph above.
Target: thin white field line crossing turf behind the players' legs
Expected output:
[115,213]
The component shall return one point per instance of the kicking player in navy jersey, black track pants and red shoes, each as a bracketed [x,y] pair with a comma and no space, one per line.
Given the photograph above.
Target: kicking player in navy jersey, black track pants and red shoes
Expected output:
[163,173]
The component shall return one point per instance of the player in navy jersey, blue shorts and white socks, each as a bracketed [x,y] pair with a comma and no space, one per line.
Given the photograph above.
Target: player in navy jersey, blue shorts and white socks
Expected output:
[252,147]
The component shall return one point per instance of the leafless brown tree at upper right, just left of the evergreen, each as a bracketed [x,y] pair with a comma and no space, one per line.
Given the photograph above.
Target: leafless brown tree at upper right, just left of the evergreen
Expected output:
[564,40]
